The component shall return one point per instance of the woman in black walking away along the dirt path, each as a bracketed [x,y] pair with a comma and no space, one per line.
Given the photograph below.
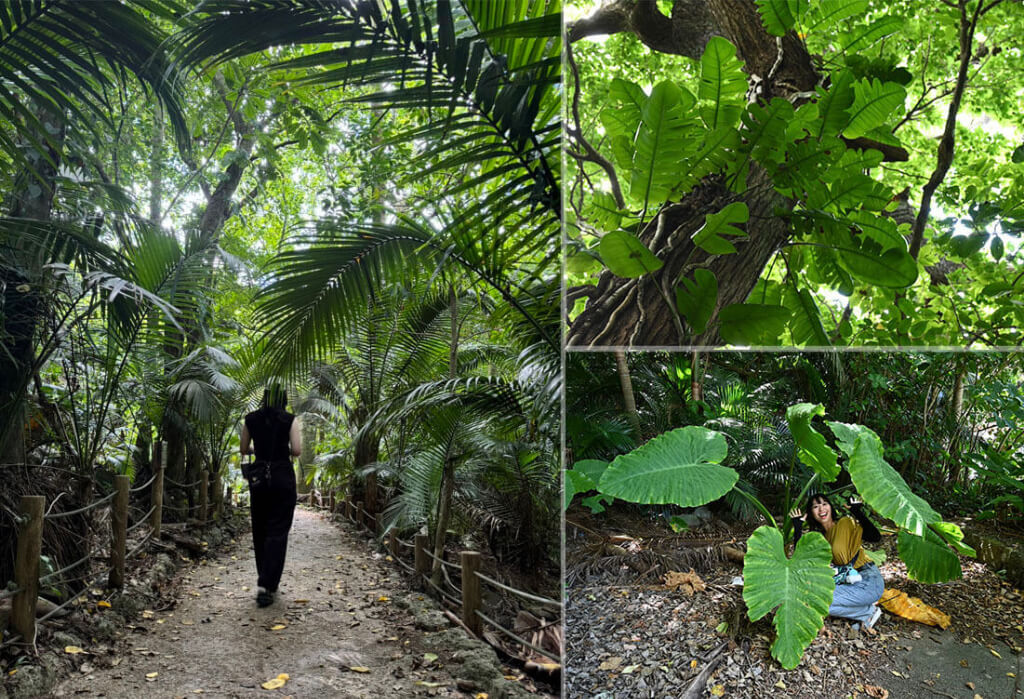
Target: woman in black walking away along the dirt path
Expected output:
[274,435]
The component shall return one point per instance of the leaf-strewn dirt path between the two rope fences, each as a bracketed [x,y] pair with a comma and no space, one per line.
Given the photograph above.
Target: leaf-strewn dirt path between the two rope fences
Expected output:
[339,628]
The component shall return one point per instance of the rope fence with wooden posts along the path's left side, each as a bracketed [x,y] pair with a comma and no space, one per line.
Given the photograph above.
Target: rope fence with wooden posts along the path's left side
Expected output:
[32,518]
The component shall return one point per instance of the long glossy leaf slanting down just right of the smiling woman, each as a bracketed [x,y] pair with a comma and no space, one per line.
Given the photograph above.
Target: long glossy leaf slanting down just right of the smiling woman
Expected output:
[881,487]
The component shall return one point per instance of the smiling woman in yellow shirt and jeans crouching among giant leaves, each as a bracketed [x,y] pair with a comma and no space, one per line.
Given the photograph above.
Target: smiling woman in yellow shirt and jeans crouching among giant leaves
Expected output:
[854,599]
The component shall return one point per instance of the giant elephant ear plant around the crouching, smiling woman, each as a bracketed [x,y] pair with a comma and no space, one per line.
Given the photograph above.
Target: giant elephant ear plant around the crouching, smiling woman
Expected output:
[685,467]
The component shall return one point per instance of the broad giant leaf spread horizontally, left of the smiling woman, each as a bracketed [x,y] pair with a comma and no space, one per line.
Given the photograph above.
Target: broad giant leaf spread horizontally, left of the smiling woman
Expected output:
[680,467]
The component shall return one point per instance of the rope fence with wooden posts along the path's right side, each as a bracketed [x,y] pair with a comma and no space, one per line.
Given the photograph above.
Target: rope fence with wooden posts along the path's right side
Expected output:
[471,601]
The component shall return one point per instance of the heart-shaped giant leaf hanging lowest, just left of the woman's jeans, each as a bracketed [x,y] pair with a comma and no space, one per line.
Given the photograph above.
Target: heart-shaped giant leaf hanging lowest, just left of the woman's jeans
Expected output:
[801,588]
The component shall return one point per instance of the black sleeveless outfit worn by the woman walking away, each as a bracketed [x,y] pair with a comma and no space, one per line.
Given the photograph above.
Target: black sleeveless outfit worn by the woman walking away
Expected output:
[273,498]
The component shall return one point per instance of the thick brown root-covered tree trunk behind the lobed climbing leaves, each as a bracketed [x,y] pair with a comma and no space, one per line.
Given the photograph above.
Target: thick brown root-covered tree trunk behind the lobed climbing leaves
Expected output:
[635,313]
